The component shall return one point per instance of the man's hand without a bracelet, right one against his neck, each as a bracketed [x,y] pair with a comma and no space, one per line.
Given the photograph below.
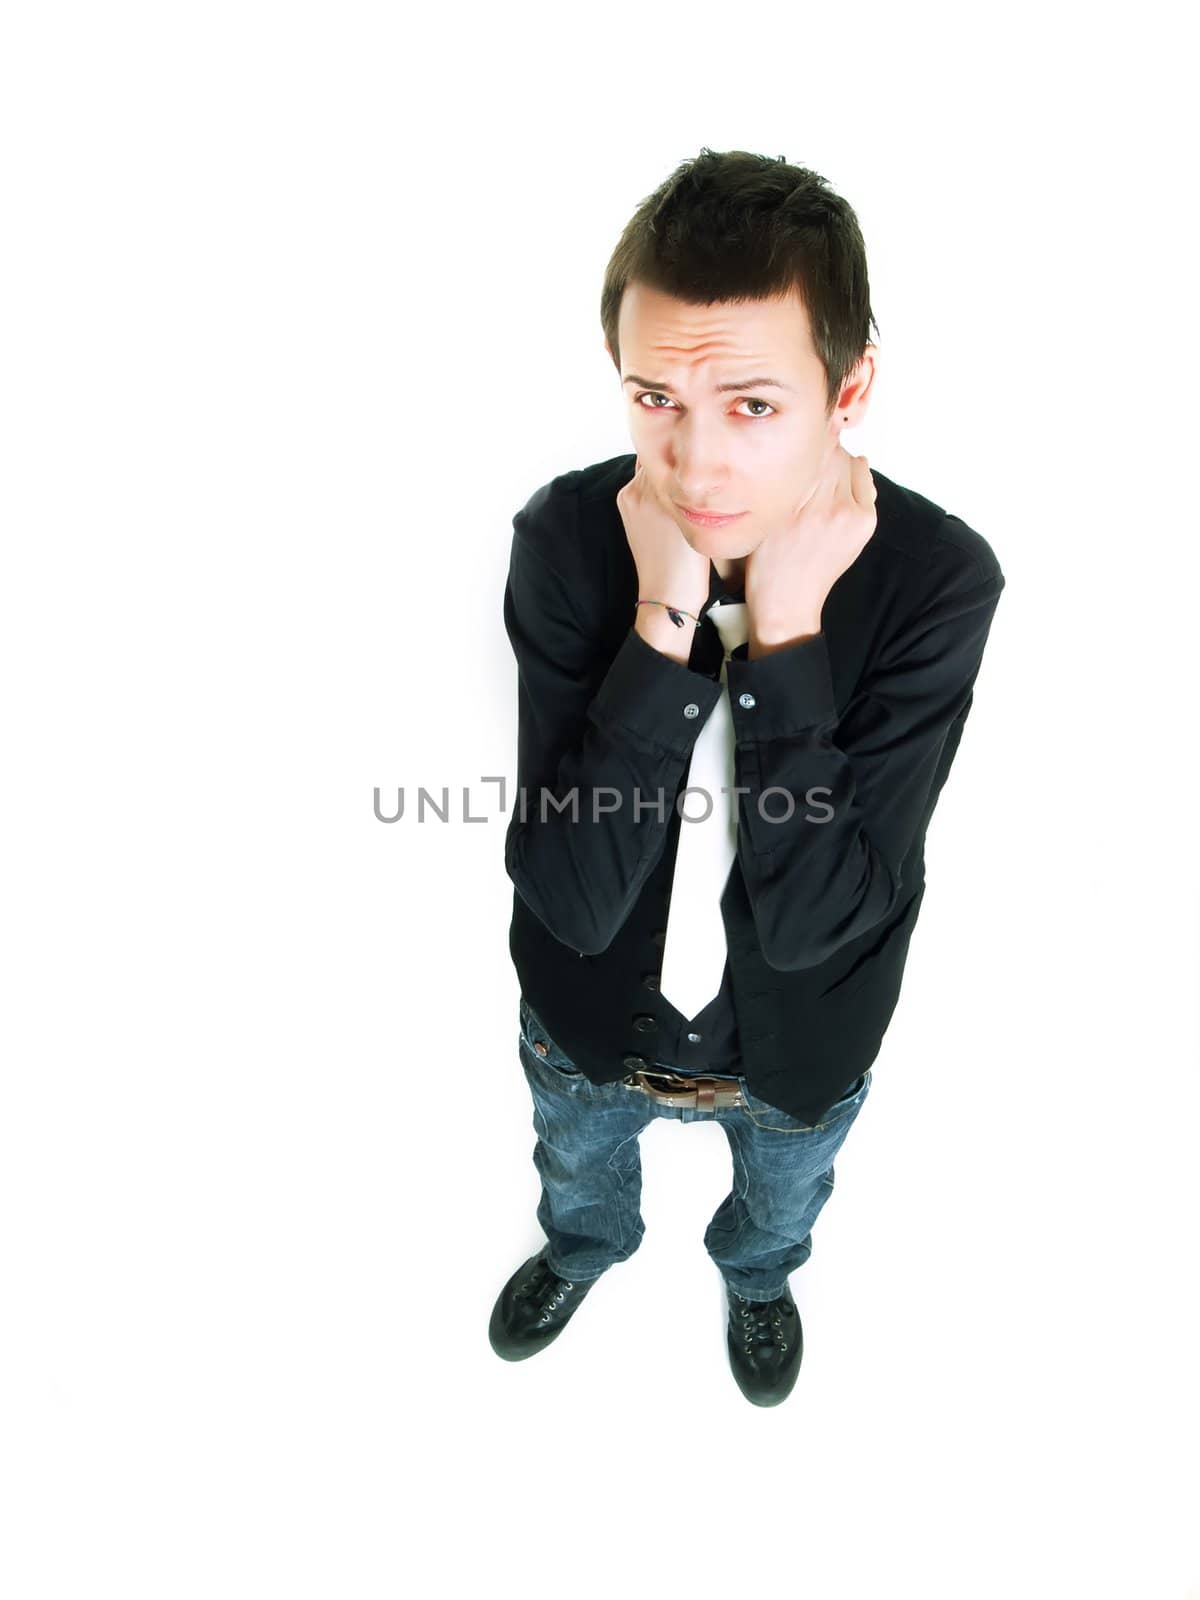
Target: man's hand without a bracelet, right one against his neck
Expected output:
[791,572]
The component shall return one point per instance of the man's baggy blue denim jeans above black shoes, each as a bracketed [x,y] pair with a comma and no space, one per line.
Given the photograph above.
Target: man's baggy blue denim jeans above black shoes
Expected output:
[590,1162]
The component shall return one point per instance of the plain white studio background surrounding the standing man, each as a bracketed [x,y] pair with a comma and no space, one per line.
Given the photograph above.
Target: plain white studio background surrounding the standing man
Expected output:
[300,305]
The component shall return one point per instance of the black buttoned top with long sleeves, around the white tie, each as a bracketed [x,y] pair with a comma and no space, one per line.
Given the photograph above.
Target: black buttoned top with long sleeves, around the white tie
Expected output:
[842,740]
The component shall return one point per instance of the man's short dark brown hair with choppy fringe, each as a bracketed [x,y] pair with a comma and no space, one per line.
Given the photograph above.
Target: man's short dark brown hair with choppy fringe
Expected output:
[735,226]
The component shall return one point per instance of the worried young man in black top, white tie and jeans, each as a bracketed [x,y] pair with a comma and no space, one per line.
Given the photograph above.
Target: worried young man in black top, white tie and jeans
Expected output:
[745,665]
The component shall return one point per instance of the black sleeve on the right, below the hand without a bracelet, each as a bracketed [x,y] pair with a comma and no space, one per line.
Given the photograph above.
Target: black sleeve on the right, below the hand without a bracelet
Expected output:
[831,807]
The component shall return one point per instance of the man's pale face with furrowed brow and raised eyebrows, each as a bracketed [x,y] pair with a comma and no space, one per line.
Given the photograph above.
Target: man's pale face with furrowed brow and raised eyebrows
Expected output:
[761,450]
